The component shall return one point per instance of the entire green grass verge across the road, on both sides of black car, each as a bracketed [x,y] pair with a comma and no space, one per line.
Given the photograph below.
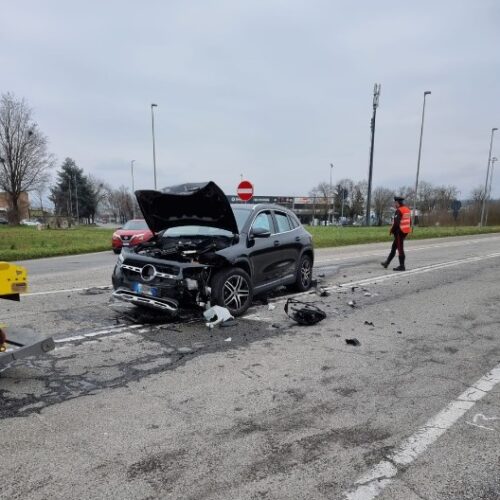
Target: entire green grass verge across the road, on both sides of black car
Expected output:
[22,243]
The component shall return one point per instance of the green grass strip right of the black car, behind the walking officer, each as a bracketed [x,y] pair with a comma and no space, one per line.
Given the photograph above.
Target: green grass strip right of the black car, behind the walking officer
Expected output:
[332,236]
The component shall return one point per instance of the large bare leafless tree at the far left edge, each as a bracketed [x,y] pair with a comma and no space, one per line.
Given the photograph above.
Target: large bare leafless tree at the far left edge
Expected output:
[25,160]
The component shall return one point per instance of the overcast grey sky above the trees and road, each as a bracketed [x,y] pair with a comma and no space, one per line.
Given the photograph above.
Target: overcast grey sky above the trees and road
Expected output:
[273,90]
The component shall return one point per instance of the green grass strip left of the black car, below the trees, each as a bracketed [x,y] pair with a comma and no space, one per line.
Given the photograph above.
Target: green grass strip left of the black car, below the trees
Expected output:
[20,243]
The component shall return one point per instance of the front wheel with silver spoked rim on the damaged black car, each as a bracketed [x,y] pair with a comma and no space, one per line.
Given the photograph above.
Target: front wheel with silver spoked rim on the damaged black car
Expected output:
[232,289]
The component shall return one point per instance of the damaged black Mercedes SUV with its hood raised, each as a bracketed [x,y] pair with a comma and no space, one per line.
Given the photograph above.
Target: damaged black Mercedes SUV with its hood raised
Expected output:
[207,252]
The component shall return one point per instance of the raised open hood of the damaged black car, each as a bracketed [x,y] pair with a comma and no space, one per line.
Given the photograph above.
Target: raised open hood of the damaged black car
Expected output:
[193,204]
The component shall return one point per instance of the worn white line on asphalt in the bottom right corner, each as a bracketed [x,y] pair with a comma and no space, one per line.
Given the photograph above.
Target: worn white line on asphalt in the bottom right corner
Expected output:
[381,475]
